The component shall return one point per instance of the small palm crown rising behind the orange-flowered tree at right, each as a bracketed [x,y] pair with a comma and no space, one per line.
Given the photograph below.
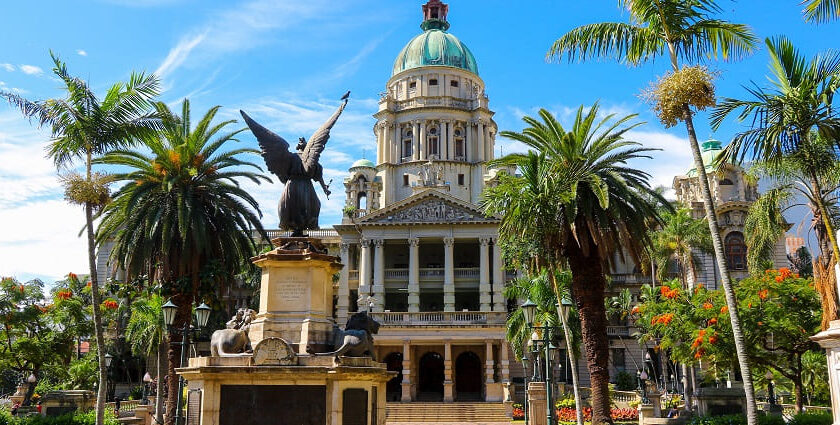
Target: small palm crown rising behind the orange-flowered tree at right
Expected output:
[683,238]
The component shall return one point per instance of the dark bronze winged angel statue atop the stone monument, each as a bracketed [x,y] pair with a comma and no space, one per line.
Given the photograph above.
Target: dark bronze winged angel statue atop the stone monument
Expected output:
[299,205]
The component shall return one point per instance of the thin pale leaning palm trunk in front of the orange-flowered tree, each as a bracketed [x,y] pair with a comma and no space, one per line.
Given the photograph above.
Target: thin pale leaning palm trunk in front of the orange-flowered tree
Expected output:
[731,302]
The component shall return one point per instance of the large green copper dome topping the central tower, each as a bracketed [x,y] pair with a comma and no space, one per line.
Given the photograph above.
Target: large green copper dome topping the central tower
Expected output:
[435,47]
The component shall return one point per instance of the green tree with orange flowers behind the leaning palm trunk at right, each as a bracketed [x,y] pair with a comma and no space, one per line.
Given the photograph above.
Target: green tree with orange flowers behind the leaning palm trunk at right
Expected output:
[779,311]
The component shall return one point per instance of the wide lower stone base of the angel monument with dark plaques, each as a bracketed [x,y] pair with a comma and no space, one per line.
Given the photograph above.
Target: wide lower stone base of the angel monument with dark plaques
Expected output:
[322,390]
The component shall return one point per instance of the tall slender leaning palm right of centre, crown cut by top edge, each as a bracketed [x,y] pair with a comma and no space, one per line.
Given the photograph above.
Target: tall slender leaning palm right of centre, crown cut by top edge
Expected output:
[684,30]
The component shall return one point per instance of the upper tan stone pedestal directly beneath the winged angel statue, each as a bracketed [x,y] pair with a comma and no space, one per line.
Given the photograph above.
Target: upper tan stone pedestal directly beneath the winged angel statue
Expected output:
[296,294]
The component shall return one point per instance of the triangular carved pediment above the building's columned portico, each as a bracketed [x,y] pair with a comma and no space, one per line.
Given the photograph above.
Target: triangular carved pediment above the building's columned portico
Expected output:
[428,208]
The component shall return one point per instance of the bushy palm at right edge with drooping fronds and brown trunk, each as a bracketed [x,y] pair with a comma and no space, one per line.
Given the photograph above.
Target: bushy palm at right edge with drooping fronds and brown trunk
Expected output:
[793,121]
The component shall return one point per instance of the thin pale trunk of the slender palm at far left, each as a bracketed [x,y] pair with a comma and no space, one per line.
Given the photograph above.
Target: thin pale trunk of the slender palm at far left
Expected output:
[97,301]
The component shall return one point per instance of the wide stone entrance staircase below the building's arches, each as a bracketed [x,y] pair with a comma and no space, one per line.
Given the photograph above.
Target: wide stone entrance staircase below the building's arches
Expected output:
[446,413]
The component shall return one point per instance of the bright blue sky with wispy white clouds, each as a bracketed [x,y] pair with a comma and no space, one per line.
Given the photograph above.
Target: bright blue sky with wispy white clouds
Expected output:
[287,62]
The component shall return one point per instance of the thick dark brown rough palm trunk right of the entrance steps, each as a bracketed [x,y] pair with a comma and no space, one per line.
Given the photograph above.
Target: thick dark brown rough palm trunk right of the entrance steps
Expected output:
[588,284]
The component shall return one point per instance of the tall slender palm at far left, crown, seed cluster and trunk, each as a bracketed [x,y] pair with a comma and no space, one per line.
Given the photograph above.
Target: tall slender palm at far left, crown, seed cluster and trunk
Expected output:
[83,126]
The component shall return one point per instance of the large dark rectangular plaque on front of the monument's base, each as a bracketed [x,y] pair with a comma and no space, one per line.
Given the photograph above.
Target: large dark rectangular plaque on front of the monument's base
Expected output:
[273,405]
